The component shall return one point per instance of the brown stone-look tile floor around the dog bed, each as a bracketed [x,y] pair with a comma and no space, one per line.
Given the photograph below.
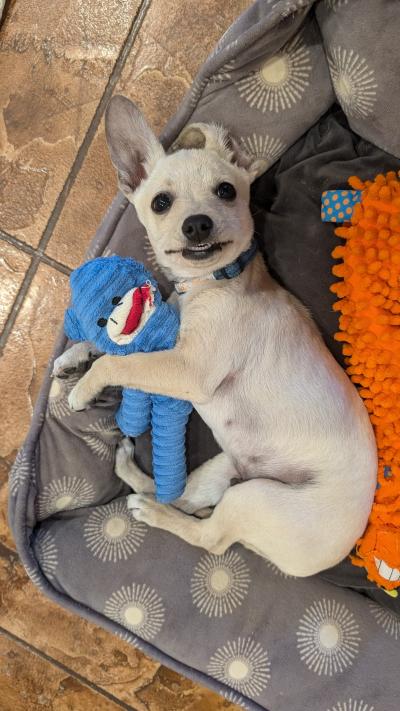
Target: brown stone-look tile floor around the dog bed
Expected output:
[59,64]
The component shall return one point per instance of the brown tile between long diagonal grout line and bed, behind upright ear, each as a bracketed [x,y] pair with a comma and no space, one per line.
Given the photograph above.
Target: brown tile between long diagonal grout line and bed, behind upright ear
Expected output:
[175,38]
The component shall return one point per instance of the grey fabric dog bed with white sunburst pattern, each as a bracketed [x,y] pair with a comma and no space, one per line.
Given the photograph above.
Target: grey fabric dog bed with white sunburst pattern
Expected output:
[308,87]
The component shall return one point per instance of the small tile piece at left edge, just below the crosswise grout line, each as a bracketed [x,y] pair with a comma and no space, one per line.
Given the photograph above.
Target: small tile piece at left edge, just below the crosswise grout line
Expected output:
[13,265]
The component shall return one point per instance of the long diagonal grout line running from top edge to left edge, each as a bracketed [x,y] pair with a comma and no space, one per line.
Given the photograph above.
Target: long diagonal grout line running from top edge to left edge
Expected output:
[75,168]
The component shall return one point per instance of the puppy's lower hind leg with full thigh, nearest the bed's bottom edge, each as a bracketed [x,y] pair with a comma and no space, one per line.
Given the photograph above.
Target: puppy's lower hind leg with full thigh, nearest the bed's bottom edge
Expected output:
[284,525]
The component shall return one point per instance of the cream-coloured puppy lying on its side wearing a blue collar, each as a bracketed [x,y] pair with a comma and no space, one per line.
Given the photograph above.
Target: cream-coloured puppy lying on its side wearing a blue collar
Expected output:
[296,439]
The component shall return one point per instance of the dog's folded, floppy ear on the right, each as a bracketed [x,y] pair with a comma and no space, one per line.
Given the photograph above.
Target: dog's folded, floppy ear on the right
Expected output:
[216,138]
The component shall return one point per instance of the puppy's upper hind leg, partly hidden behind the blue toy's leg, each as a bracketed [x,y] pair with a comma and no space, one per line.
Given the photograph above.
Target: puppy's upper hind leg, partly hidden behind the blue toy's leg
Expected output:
[205,486]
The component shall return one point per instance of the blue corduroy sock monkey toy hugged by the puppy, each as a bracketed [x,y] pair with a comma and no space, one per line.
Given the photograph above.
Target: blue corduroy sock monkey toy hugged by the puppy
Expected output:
[117,306]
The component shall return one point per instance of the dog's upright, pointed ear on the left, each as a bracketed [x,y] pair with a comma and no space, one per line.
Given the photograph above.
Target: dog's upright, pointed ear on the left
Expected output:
[134,149]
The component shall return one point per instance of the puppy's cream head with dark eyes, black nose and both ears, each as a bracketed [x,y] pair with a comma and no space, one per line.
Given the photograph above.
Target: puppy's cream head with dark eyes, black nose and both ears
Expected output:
[193,201]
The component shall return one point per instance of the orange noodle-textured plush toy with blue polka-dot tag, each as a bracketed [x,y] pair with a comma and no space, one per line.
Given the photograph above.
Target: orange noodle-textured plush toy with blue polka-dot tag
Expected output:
[369,307]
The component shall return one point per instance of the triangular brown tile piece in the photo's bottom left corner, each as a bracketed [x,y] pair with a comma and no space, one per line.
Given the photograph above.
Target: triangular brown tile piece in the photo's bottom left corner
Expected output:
[30,683]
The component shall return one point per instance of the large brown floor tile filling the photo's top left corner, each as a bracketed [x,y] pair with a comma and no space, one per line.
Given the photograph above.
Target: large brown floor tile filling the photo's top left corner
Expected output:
[55,60]
